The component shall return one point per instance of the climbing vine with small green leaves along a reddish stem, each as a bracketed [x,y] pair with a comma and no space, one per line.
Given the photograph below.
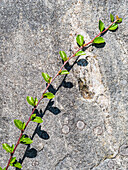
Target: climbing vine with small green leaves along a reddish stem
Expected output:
[23,139]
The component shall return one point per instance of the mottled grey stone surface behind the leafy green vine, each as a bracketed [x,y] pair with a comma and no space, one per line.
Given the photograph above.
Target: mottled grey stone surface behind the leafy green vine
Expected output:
[86,125]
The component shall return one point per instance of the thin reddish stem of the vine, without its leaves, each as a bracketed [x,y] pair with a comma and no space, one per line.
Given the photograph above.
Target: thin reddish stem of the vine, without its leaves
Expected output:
[18,142]
